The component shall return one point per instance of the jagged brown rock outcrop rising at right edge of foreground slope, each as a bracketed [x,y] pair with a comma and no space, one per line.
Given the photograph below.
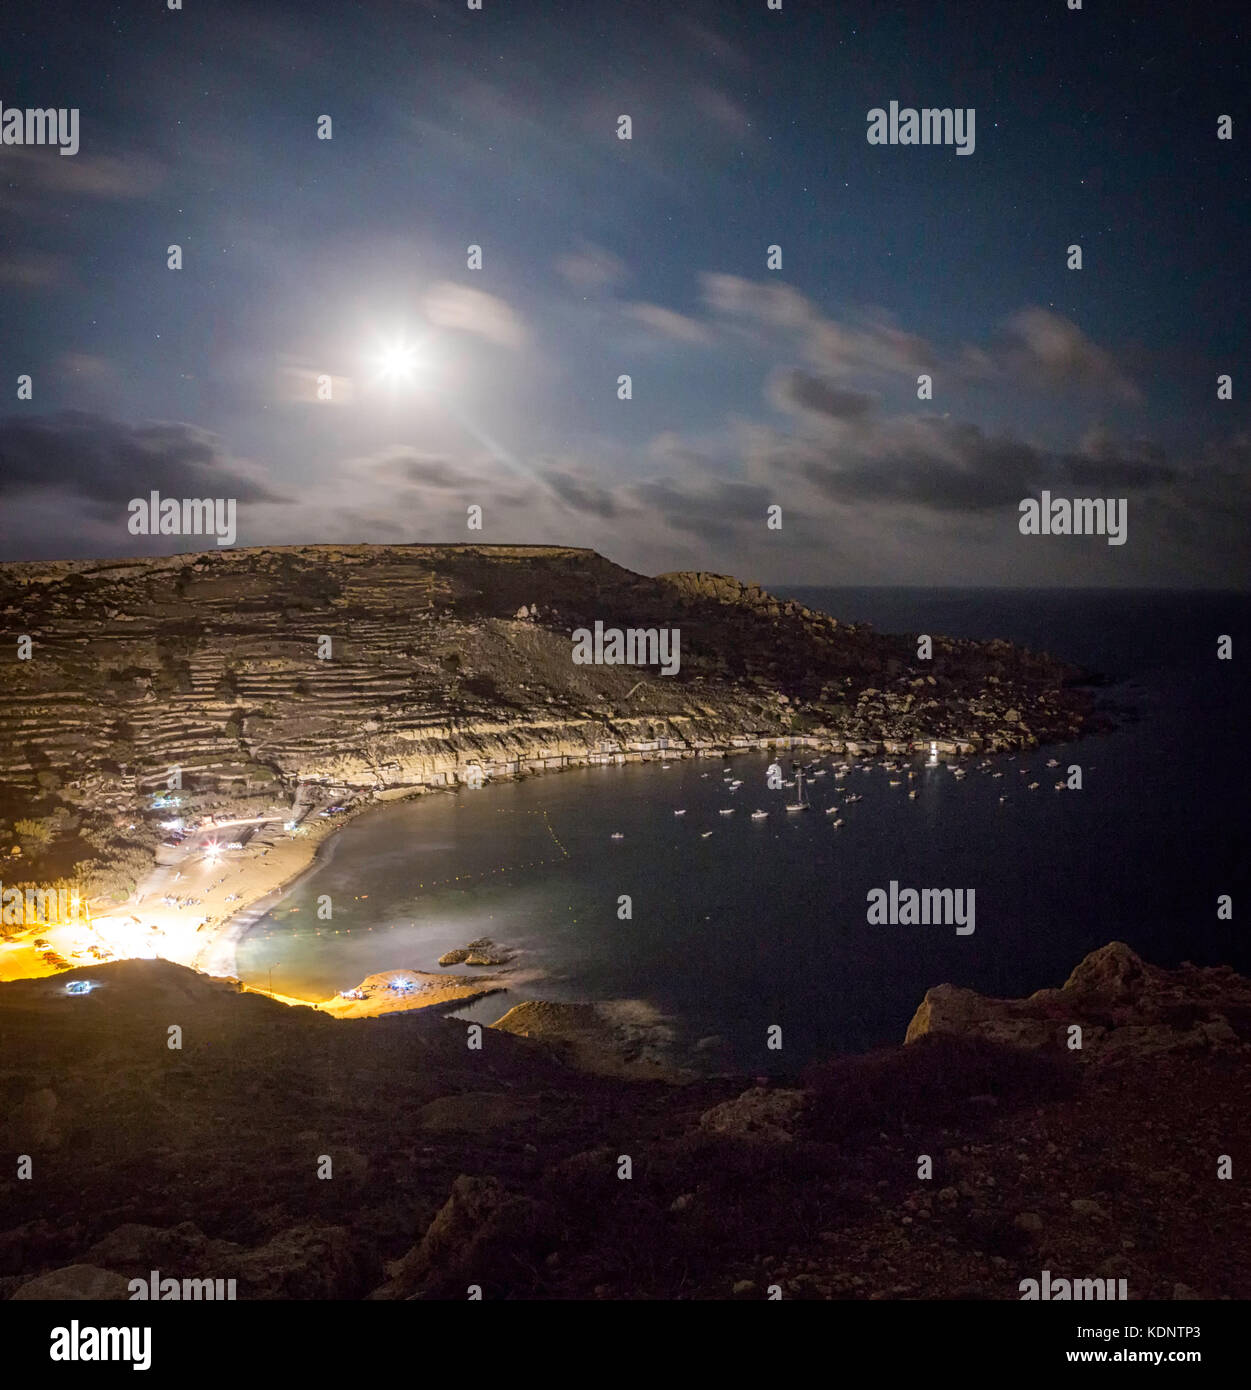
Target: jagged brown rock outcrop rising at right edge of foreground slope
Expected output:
[1121,1006]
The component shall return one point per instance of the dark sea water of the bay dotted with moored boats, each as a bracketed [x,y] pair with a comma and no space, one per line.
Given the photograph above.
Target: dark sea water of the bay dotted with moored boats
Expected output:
[765,924]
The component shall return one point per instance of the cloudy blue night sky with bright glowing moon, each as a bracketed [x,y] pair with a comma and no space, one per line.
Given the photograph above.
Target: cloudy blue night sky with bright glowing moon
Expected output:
[751,387]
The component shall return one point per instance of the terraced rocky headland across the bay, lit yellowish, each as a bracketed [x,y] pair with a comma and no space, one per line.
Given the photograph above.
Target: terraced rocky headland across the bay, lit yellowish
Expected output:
[405,667]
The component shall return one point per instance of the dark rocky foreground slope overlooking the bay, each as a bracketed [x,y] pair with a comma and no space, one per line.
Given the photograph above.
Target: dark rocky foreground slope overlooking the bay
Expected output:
[501,1167]
